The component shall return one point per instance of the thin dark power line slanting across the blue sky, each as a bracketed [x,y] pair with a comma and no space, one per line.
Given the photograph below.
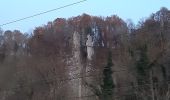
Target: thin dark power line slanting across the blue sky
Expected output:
[41,13]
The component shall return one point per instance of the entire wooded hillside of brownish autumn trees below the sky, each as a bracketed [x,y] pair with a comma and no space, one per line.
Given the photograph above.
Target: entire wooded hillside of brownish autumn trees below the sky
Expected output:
[88,58]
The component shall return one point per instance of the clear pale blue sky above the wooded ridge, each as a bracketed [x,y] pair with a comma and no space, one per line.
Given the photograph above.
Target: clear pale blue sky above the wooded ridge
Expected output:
[11,10]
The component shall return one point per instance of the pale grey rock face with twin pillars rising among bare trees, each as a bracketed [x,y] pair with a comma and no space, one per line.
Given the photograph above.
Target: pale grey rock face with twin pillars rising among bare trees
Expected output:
[80,67]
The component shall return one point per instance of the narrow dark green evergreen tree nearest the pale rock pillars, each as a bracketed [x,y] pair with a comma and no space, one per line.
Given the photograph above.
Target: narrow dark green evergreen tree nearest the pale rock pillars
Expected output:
[108,85]
